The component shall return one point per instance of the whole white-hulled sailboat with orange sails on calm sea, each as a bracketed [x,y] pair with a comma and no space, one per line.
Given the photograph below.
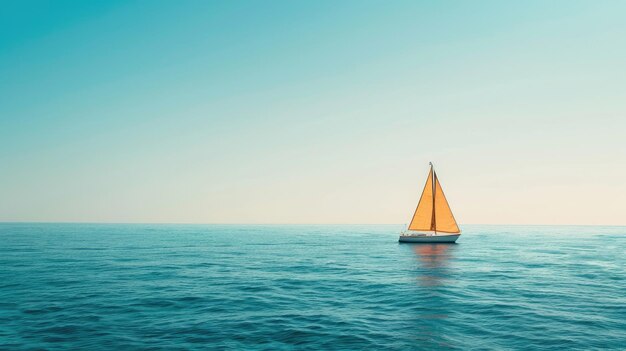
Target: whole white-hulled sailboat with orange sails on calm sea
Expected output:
[433,221]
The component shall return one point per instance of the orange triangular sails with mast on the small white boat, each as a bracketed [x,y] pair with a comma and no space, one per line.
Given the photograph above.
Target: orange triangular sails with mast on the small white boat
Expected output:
[433,213]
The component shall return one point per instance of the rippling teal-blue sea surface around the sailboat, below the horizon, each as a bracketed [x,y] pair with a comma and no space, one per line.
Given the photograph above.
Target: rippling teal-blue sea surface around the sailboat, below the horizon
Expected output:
[309,287]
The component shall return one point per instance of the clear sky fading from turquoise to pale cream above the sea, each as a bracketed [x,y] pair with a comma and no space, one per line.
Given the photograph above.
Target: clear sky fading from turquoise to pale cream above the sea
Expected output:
[312,111]
